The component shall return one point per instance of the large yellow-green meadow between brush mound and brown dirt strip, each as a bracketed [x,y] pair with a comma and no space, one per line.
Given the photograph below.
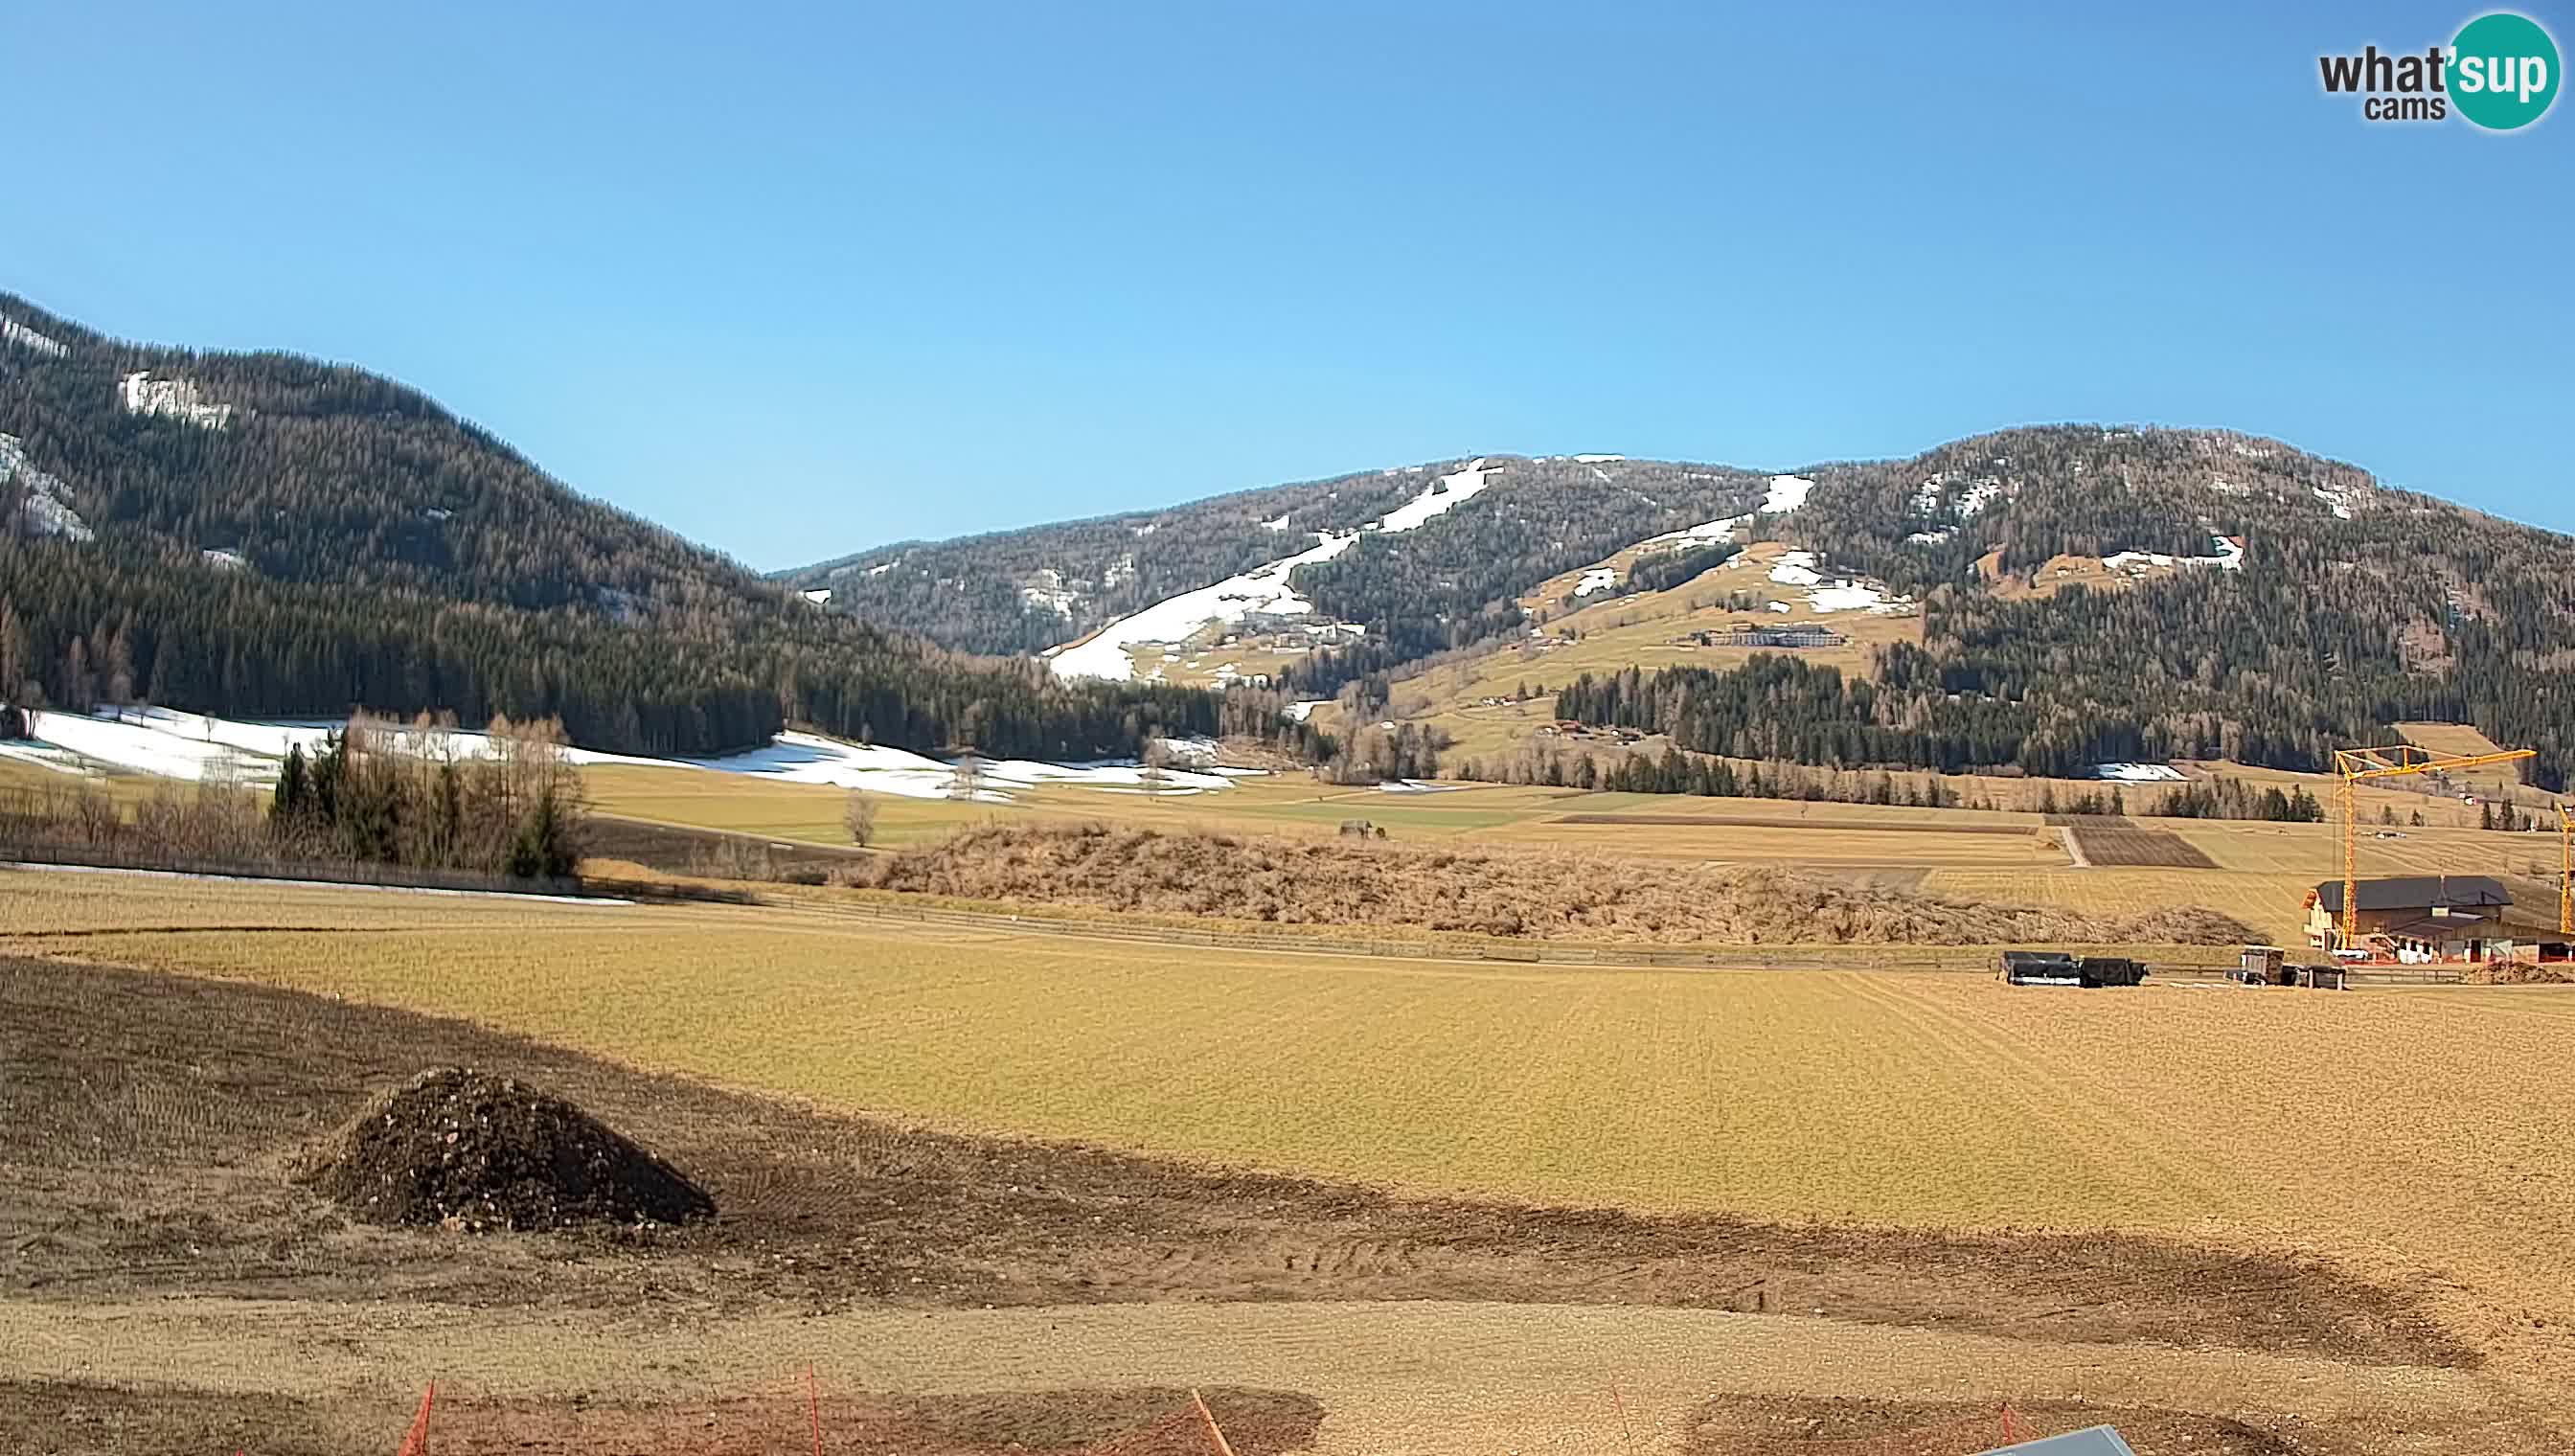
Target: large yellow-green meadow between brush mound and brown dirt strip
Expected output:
[1873,1097]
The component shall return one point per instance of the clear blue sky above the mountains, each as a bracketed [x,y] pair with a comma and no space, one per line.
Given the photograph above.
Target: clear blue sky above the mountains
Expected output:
[810,280]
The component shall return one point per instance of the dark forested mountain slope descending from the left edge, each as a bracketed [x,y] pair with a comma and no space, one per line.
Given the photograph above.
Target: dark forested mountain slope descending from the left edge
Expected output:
[285,537]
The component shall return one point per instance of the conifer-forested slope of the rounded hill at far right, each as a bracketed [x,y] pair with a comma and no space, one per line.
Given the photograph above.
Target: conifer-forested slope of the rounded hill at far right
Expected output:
[2298,607]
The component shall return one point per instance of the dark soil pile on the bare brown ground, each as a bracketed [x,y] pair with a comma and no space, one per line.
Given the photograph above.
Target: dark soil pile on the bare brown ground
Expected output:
[483,1153]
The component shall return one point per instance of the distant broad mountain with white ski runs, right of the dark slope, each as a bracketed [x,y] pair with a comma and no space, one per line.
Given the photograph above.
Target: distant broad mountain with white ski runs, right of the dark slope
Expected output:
[2084,597]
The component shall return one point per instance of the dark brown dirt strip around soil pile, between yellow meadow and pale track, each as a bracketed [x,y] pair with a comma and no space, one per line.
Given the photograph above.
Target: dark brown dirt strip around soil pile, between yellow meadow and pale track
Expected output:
[151,1122]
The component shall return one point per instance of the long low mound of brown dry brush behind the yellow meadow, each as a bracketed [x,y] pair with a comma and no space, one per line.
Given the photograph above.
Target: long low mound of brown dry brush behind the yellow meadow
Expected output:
[1356,883]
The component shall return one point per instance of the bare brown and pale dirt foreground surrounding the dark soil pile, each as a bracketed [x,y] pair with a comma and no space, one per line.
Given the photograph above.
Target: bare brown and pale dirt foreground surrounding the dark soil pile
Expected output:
[166,1287]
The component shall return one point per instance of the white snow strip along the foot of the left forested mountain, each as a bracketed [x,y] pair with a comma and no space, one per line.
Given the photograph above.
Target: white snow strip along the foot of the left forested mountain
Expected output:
[194,749]
